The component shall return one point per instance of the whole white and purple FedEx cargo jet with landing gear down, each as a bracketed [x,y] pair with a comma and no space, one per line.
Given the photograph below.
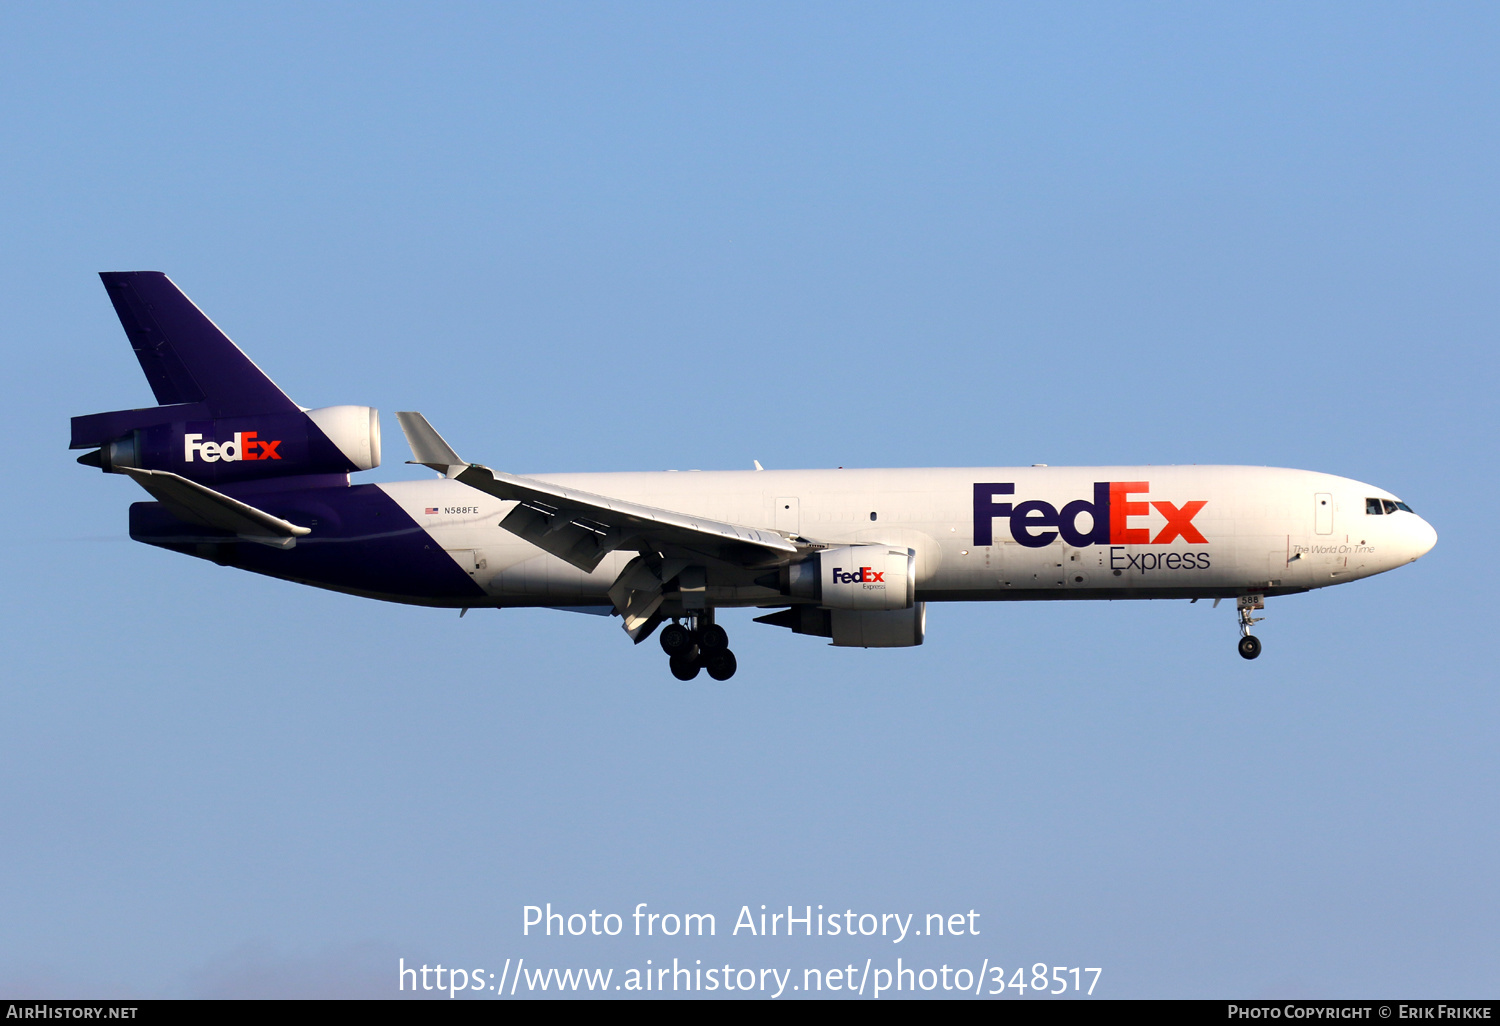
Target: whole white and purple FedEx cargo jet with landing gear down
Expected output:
[247,478]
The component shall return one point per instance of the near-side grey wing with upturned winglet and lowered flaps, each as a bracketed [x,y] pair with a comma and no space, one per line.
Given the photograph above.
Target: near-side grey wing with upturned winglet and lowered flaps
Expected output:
[583,529]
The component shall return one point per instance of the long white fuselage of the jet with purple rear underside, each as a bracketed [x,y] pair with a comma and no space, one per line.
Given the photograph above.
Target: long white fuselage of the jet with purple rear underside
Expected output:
[1253,530]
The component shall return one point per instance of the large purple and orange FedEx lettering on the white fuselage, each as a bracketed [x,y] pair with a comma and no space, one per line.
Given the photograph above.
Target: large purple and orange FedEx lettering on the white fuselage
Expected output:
[1037,524]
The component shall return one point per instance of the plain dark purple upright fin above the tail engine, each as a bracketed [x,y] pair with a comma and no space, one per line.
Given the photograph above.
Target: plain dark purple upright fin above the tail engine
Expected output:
[184,355]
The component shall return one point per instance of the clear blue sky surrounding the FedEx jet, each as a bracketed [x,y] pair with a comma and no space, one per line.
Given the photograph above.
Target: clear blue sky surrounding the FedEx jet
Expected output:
[649,236]
